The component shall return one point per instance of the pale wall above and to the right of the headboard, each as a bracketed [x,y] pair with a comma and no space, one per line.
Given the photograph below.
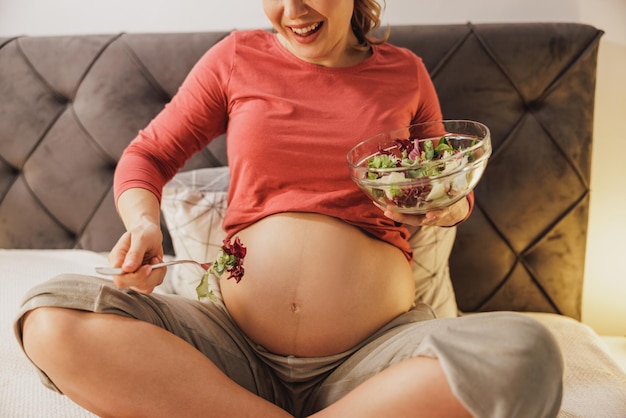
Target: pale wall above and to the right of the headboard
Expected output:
[604,302]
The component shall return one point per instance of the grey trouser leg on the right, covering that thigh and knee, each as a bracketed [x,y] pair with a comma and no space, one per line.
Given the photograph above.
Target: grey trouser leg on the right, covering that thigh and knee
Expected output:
[497,364]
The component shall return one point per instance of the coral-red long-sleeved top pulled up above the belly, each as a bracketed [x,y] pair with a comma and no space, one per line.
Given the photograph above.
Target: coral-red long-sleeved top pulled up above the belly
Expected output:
[289,126]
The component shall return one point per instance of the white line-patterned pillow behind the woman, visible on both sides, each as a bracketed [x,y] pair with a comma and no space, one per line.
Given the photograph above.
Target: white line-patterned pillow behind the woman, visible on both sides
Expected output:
[193,207]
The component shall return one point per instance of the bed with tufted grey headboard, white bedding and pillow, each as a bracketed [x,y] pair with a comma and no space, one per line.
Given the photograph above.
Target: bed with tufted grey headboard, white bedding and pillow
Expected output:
[70,104]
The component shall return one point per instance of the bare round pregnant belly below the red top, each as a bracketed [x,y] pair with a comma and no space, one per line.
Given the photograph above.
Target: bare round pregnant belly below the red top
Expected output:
[315,285]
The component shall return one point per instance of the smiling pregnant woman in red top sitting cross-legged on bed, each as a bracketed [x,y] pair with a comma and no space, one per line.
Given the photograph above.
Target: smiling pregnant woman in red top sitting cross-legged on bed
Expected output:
[324,321]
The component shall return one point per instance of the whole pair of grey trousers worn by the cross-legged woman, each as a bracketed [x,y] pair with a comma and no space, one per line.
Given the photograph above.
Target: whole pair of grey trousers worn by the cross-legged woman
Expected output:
[499,364]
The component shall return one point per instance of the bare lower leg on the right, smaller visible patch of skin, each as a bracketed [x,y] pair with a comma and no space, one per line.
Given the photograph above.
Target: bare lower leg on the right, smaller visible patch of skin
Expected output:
[413,388]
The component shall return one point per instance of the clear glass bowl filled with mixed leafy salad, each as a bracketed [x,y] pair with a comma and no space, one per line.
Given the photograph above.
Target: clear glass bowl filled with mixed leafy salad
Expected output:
[421,167]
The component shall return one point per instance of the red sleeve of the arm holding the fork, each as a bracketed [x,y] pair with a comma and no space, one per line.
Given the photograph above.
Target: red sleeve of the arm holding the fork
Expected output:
[196,114]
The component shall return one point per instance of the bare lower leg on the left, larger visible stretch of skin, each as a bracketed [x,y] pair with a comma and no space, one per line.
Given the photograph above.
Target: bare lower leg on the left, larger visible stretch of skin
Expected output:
[116,366]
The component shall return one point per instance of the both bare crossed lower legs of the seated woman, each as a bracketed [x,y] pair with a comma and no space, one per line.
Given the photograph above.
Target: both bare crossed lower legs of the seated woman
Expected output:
[116,366]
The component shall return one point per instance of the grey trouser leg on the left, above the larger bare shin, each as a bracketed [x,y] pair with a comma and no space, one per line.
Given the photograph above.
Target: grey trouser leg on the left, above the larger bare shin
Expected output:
[205,325]
